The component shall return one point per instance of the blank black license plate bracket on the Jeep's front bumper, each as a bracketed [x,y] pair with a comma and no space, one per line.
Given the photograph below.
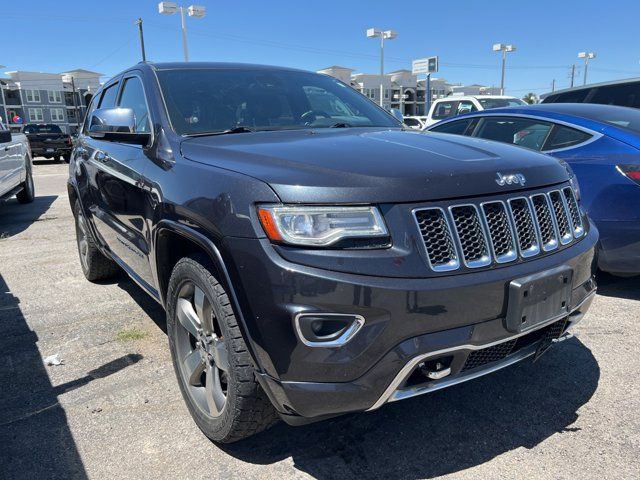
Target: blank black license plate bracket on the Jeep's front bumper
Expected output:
[538,298]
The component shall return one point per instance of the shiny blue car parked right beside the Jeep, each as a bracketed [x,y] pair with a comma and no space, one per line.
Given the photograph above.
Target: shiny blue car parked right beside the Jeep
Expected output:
[601,143]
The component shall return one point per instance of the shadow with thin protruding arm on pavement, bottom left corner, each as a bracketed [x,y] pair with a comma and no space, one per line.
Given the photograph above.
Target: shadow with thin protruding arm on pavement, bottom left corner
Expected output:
[35,439]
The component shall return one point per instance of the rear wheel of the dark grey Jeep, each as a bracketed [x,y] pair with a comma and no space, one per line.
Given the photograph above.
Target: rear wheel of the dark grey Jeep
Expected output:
[94,264]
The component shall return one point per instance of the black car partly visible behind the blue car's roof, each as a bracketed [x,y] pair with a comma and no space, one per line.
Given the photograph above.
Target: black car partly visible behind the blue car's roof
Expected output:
[623,93]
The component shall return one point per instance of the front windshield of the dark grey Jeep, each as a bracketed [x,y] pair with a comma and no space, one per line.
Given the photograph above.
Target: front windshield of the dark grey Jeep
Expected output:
[209,100]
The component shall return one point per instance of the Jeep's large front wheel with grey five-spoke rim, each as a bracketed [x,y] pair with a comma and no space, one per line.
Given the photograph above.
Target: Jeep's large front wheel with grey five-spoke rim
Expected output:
[246,409]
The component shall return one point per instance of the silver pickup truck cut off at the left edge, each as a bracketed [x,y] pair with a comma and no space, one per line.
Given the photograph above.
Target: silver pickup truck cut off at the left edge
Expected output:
[16,177]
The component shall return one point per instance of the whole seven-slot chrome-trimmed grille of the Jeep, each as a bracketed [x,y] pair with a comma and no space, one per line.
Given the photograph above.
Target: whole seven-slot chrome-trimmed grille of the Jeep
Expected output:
[499,231]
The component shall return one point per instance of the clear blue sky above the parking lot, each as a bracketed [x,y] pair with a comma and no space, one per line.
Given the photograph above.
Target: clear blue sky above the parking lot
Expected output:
[54,36]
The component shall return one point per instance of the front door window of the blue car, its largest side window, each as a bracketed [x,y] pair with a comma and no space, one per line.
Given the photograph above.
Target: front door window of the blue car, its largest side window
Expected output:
[525,132]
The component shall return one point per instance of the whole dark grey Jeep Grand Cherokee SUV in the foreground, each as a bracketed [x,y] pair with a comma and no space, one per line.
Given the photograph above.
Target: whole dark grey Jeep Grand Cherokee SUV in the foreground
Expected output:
[317,261]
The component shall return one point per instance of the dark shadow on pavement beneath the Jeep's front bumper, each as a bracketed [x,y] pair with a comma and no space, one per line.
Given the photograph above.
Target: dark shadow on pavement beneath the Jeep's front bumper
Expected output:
[443,432]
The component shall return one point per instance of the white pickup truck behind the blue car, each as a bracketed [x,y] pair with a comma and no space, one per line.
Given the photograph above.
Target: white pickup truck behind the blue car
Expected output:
[452,106]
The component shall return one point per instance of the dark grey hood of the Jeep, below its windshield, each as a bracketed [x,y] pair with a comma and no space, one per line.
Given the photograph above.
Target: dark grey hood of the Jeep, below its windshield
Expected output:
[372,165]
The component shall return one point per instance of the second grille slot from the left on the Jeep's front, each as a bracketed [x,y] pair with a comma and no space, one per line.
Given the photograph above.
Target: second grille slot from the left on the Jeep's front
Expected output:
[471,236]
